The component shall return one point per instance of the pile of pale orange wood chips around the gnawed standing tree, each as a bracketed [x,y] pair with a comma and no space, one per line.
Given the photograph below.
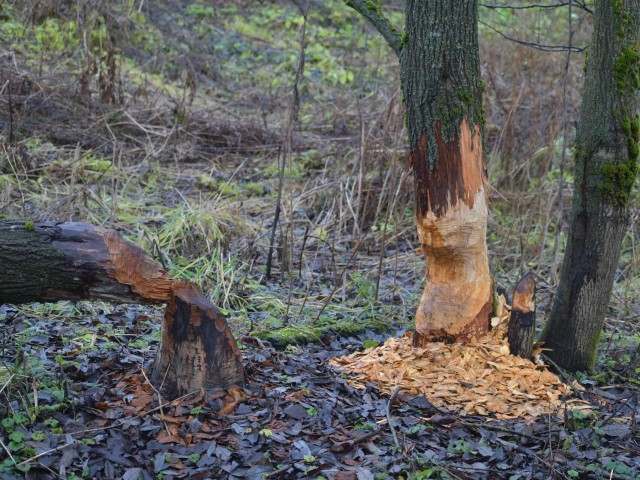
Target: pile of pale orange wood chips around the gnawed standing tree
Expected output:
[478,378]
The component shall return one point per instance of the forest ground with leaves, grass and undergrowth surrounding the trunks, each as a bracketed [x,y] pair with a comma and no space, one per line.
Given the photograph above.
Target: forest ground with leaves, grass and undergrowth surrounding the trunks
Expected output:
[185,149]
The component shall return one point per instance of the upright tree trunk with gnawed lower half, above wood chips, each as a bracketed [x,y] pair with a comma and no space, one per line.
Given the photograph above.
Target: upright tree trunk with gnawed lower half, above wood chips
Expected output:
[441,83]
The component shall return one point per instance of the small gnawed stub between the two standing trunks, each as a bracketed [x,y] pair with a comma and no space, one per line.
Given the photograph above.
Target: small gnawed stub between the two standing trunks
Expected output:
[522,322]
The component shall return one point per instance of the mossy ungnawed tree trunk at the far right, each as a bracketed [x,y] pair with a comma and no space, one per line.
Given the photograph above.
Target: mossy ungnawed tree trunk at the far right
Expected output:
[606,168]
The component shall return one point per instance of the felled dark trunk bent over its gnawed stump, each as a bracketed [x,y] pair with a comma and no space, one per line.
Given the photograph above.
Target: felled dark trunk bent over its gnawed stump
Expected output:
[47,262]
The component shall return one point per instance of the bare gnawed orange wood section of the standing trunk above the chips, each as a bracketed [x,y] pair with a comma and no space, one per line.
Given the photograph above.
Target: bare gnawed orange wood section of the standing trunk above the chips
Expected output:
[452,215]
